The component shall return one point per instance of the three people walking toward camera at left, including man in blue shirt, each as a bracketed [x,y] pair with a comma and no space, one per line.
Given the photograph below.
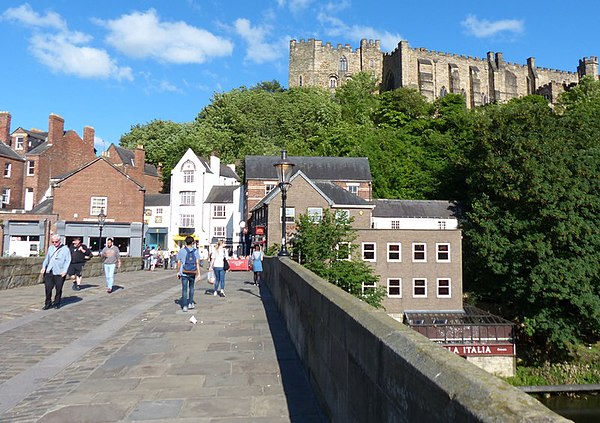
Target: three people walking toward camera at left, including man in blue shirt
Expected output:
[63,261]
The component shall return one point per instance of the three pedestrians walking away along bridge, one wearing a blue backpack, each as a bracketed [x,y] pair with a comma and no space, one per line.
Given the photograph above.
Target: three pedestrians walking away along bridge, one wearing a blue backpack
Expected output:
[189,264]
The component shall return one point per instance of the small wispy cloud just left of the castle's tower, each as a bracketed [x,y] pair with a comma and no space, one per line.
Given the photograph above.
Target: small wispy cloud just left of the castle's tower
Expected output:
[258,50]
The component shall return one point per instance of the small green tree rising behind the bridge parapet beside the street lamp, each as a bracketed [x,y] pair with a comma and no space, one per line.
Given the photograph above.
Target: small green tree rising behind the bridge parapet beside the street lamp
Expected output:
[324,245]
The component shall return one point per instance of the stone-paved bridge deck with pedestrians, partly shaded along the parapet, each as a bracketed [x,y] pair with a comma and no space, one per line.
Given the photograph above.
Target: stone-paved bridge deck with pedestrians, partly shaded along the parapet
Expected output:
[135,356]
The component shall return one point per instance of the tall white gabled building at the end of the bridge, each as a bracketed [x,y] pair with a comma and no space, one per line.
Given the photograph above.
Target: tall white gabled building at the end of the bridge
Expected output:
[206,202]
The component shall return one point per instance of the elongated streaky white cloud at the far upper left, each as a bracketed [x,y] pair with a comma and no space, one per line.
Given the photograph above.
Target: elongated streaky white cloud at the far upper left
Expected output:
[65,51]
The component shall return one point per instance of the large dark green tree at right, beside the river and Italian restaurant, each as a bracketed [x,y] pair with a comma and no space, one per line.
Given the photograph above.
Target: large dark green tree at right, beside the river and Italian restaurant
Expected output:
[532,238]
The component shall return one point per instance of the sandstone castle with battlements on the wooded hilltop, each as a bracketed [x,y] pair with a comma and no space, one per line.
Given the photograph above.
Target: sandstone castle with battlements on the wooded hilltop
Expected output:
[433,73]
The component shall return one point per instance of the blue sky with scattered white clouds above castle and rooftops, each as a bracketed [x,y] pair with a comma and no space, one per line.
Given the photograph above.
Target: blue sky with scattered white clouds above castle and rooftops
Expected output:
[112,64]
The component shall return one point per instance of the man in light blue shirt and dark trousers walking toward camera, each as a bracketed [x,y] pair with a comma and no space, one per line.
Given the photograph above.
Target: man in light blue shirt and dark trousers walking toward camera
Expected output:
[54,268]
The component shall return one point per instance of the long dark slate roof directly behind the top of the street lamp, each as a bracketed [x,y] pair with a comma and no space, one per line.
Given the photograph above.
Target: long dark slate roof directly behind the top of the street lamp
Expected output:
[316,168]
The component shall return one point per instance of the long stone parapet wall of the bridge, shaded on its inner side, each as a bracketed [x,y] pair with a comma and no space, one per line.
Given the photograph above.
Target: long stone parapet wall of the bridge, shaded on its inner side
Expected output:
[365,366]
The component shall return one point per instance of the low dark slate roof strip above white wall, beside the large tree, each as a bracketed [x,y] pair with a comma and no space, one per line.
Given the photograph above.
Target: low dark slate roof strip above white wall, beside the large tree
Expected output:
[439,209]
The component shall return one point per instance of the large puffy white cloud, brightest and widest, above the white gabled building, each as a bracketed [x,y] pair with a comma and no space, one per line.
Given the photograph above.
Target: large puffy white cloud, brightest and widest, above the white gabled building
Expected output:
[143,35]
